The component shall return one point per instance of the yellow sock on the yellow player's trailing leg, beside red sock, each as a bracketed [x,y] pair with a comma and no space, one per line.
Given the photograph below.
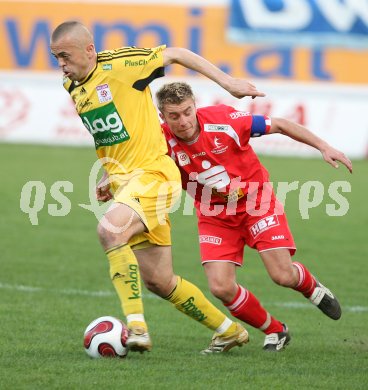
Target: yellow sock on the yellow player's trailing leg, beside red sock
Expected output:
[190,300]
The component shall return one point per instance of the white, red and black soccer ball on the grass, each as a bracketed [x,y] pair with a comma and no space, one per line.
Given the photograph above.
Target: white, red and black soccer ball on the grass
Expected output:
[106,337]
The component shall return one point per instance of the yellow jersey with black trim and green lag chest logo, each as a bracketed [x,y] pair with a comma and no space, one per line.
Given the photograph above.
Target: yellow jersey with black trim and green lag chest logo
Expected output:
[115,104]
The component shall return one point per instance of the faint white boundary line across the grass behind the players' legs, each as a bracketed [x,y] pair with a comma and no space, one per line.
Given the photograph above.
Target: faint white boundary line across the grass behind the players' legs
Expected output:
[87,293]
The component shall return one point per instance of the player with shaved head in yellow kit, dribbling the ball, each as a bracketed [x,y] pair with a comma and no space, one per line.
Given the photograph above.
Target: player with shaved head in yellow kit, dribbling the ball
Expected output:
[111,93]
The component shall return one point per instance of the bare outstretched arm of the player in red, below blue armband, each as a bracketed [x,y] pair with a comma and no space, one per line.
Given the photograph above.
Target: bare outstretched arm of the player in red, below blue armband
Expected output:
[302,134]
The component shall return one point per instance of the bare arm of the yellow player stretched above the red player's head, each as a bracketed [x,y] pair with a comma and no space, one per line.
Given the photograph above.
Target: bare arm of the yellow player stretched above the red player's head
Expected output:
[236,87]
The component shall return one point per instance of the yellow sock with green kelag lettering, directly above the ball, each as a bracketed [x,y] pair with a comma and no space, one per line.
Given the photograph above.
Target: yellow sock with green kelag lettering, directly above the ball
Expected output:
[124,273]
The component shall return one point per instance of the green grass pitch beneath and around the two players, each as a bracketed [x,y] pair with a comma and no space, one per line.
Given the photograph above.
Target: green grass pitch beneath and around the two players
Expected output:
[54,281]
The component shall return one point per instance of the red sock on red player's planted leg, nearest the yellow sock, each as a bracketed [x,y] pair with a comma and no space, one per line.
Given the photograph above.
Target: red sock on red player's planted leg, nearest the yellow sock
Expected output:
[247,308]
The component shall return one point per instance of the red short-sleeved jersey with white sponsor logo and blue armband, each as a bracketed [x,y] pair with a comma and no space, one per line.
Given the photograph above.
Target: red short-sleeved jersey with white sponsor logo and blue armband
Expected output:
[220,166]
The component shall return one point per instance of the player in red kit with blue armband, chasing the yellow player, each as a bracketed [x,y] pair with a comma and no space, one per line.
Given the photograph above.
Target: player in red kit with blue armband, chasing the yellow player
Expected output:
[236,205]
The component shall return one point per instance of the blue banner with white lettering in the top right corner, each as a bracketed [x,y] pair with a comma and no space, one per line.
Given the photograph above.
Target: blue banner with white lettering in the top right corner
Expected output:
[339,23]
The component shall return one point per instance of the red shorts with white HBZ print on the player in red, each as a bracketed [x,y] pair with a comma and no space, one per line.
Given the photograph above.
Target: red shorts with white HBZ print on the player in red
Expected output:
[223,238]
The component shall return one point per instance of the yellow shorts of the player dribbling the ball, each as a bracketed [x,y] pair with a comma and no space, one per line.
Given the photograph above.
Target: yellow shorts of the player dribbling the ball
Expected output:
[151,193]
